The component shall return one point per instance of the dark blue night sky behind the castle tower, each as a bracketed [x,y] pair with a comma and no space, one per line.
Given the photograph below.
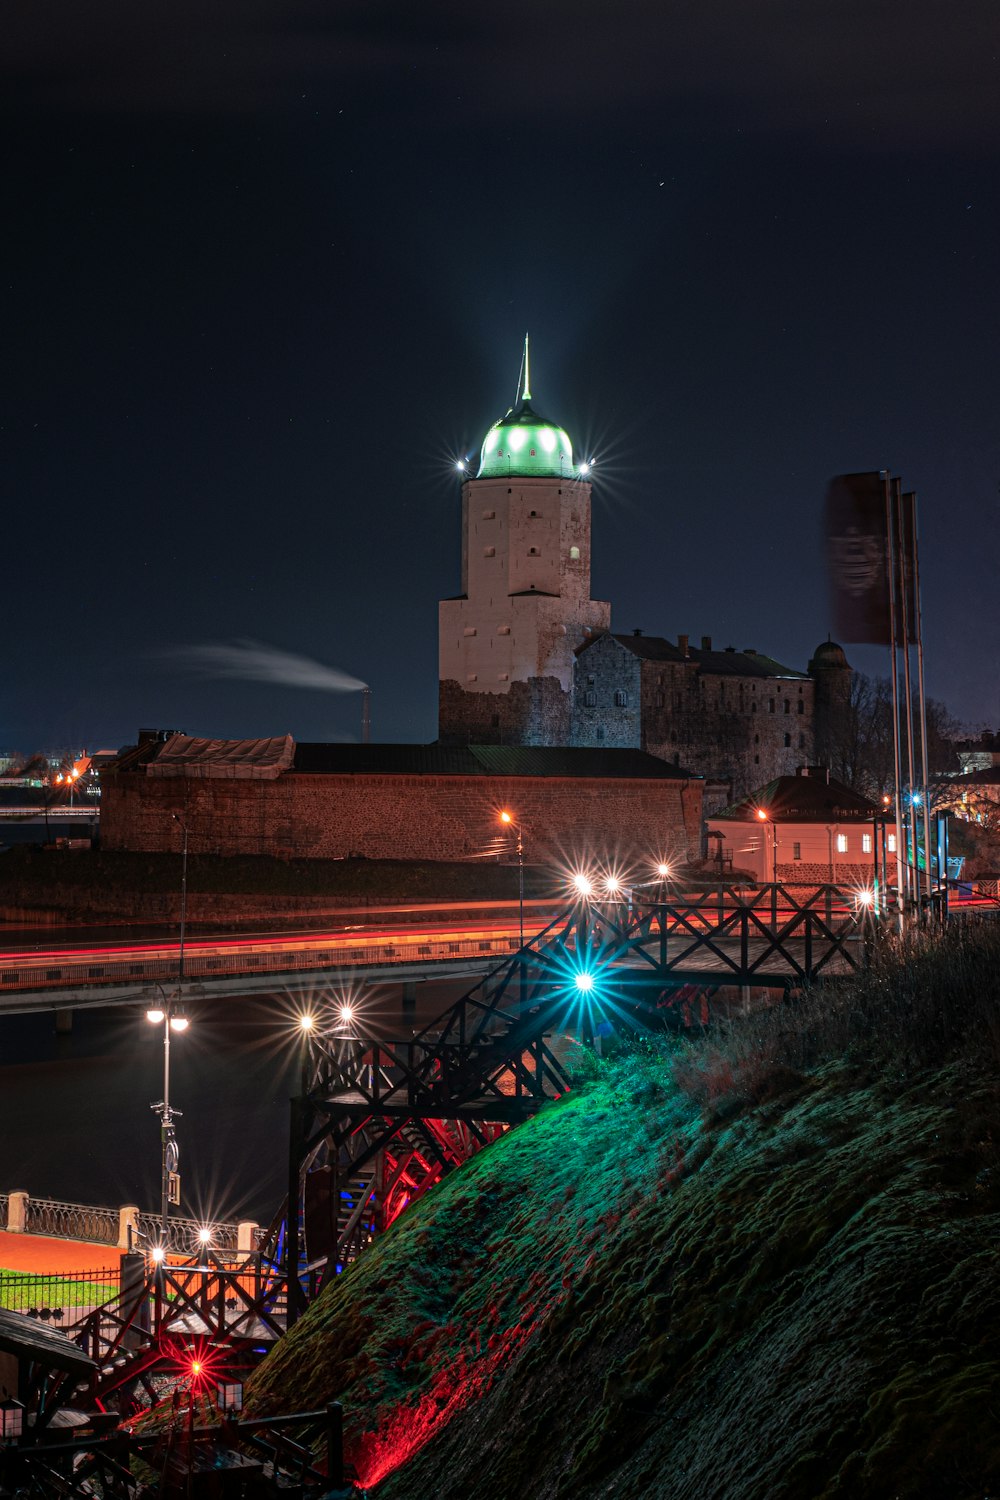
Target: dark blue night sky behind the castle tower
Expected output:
[268,268]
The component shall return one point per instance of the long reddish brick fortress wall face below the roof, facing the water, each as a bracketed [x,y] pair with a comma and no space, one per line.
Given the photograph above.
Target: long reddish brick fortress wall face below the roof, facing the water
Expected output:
[404,817]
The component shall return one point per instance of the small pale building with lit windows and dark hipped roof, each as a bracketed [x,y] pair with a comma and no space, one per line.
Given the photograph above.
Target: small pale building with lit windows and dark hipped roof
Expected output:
[806,830]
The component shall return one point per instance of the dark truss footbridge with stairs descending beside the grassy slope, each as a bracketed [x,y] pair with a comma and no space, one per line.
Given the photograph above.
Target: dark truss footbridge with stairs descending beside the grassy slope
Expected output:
[380,1121]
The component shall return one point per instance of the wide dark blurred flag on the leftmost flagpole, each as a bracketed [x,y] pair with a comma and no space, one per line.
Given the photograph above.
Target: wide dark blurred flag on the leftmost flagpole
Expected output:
[857,557]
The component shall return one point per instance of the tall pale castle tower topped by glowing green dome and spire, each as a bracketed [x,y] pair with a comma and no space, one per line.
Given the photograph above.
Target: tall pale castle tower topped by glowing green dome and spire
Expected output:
[507,643]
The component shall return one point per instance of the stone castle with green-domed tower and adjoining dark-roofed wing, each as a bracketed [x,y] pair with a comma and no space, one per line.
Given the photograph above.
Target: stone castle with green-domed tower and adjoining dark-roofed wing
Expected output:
[528,658]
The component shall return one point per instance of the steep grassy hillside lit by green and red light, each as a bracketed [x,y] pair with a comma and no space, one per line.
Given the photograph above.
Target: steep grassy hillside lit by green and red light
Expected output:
[759,1264]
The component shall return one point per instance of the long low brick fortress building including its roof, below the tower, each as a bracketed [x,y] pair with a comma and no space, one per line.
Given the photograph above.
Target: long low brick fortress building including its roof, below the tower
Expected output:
[385,802]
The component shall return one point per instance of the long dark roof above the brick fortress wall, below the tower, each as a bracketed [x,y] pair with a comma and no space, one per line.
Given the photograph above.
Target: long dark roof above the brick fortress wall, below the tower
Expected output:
[343,760]
